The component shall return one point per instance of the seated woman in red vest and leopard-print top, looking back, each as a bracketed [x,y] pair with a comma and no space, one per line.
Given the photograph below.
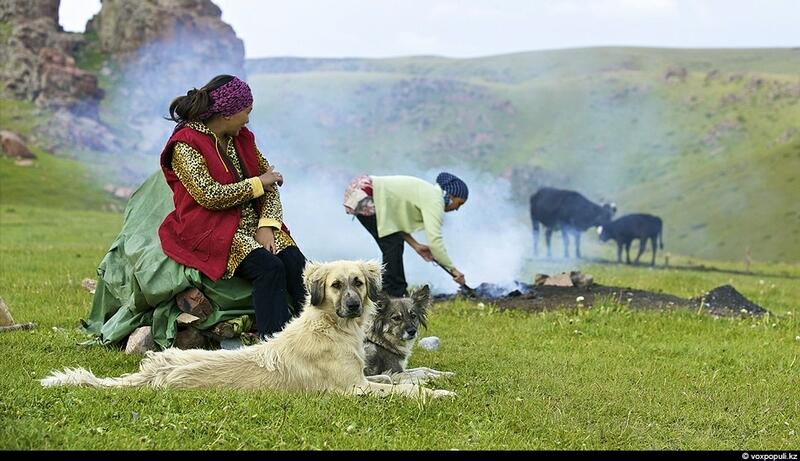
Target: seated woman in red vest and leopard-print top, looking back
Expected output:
[228,215]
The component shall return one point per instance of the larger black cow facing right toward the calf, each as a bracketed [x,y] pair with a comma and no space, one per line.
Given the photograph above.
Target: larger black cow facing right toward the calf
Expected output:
[566,210]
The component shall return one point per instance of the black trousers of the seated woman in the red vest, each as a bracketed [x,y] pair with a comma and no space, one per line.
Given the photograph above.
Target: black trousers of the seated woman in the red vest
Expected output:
[273,276]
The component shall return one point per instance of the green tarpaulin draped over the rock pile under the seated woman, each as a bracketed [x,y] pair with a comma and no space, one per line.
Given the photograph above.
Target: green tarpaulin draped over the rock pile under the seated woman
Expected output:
[137,282]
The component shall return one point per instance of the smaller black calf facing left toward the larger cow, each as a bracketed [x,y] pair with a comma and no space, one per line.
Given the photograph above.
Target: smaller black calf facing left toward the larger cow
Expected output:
[633,226]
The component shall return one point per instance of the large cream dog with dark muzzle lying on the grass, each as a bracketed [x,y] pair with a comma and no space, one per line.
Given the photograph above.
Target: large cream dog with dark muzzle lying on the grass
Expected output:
[322,349]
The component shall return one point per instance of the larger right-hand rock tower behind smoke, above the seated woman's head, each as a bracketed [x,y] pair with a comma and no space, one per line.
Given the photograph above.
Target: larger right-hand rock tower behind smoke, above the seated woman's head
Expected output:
[161,49]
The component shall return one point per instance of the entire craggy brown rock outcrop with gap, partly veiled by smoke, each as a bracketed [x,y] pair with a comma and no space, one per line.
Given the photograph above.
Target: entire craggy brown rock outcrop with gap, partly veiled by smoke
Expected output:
[154,50]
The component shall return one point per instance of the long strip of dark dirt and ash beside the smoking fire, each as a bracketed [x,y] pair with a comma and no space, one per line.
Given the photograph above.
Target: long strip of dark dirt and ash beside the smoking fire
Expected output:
[721,301]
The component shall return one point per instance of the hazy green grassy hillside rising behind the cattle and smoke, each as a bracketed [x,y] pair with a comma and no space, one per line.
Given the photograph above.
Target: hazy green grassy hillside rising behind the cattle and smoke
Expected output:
[707,139]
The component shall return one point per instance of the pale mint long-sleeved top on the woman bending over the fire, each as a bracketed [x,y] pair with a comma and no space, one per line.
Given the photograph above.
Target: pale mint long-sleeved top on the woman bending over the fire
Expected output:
[409,204]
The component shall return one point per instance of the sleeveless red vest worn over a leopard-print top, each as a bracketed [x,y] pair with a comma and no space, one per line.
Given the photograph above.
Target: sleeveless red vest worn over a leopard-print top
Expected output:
[192,235]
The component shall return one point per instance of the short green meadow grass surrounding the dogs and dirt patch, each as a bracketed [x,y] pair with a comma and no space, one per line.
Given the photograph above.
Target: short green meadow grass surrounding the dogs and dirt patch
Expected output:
[600,378]
